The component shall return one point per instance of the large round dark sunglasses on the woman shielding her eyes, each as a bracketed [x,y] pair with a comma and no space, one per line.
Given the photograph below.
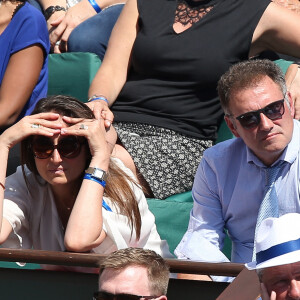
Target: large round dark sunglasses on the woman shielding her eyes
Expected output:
[68,147]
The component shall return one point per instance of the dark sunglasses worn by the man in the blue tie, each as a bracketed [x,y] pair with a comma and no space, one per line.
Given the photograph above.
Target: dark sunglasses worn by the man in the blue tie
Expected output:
[274,111]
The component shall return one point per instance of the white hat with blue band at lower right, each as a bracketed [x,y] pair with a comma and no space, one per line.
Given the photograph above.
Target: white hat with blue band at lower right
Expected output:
[277,242]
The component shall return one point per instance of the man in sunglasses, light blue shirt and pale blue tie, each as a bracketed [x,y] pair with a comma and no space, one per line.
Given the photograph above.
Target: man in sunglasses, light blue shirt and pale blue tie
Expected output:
[231,185]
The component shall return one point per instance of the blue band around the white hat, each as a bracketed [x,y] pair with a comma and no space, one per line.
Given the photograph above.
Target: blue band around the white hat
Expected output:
[278,250]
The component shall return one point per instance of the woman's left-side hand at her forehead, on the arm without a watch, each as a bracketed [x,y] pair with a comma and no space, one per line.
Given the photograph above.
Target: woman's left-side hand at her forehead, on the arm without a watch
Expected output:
[39,124]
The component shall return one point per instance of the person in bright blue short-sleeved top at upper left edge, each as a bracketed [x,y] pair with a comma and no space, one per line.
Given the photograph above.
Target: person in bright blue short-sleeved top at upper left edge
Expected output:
[24,47]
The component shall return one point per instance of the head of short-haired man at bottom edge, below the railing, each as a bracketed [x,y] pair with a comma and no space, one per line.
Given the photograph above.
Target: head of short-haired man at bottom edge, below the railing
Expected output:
[134,274]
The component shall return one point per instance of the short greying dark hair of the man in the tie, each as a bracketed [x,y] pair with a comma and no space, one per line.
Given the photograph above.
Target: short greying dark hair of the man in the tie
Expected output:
[247,74]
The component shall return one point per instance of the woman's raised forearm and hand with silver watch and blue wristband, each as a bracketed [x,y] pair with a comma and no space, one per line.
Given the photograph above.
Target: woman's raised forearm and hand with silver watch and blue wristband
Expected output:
[84,229]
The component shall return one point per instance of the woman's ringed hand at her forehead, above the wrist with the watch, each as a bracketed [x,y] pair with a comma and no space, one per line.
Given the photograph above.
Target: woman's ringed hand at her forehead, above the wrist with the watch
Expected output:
[94,131]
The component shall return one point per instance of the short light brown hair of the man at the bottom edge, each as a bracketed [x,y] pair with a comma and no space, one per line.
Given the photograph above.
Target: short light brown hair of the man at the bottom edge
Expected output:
[157,268]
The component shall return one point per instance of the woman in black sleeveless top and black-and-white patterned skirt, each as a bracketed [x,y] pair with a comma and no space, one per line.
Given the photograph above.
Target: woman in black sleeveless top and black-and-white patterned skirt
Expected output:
[159,76]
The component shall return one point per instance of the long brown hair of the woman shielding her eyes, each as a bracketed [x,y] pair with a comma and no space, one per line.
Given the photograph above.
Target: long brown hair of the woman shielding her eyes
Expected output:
[118,182]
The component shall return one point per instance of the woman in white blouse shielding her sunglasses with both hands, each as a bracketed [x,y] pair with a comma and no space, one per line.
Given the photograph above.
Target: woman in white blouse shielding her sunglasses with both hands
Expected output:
[70,194]
